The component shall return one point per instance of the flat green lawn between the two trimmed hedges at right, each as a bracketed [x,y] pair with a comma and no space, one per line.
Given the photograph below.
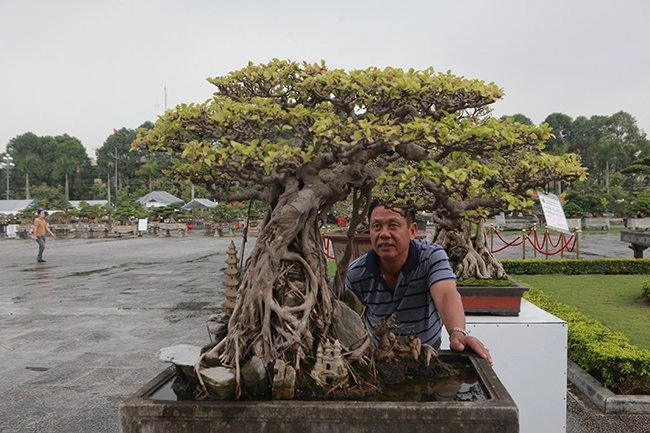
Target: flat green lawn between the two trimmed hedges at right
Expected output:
[610,299]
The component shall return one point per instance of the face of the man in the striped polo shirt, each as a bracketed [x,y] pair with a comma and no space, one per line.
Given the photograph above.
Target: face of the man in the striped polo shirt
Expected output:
[390,234]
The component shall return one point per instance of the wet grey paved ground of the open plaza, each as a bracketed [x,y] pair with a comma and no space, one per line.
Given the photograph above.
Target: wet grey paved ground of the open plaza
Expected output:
[81,333]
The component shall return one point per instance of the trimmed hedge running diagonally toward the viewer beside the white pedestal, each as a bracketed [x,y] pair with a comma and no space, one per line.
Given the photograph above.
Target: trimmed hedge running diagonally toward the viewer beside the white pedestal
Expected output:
[605,354]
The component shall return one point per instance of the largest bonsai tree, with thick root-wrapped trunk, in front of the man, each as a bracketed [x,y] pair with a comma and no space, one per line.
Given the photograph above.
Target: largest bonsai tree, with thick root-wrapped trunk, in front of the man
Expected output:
[302,137]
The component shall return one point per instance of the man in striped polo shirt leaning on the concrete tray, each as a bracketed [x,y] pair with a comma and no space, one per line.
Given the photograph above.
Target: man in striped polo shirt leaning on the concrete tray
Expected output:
[411,279]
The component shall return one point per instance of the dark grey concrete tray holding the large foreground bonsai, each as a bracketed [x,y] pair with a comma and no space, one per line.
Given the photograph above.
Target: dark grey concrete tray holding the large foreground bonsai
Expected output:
[498,413]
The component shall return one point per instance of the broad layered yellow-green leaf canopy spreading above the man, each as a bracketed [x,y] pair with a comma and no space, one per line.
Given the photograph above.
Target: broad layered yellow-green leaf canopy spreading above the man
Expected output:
[337,130]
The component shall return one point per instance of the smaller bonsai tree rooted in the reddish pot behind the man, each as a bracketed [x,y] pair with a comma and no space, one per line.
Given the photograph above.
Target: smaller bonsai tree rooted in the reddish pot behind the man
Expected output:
[474,175]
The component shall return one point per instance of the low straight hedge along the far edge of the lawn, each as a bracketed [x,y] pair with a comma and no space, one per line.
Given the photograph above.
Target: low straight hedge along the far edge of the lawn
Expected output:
[577,267]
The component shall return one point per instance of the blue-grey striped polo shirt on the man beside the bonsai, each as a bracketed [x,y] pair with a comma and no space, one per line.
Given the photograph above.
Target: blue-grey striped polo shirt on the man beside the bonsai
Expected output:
[411,300]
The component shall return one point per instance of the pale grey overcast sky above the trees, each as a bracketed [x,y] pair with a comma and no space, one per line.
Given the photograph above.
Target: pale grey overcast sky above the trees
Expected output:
[84,67]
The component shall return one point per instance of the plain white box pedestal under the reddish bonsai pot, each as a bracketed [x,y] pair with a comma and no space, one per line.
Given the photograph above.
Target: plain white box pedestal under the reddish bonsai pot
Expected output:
[530,358]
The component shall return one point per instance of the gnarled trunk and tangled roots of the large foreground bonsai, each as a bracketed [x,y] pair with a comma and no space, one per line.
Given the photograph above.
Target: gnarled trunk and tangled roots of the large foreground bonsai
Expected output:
[285,304]
